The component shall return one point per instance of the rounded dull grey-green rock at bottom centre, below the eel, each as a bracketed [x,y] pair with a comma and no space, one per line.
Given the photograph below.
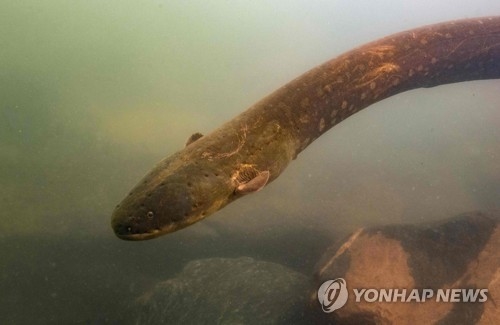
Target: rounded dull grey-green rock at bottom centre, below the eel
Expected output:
[227,291]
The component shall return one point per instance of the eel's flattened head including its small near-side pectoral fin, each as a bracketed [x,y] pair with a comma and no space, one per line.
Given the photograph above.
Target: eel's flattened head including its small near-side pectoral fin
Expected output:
[169,199]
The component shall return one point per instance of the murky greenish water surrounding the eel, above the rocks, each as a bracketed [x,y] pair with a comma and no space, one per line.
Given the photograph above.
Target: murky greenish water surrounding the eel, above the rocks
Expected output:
[94,93]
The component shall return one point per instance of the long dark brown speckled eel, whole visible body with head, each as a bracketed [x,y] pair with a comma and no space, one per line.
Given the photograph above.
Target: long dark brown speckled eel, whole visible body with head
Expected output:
[254,148]
